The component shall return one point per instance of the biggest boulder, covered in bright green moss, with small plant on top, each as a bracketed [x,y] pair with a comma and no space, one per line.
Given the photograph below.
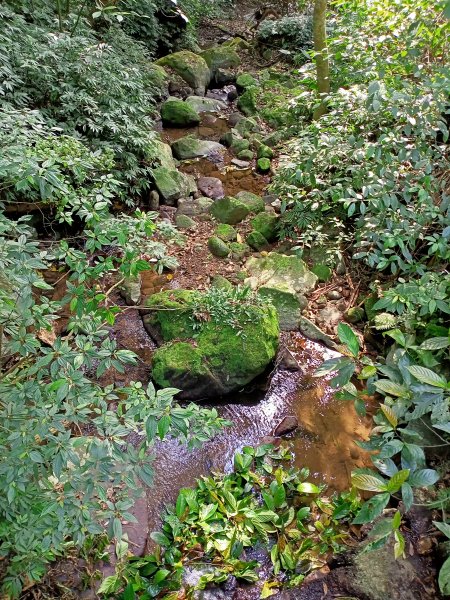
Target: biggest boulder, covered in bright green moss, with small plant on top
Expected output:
[205,358]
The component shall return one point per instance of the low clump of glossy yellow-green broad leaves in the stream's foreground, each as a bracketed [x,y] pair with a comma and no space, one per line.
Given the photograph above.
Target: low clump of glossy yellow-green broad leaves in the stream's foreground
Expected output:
[262,501]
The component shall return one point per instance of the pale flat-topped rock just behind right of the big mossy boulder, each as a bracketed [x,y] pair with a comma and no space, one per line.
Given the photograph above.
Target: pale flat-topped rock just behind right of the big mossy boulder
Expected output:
[285,281]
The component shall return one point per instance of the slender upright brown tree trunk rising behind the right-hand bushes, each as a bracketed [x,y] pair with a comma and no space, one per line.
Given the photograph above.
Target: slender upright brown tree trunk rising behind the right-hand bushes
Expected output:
[321,49]
